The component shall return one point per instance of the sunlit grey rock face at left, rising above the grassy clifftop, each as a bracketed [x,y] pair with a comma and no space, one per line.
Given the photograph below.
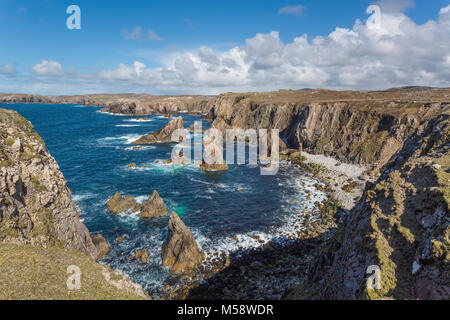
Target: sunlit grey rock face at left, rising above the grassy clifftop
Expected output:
[35,203]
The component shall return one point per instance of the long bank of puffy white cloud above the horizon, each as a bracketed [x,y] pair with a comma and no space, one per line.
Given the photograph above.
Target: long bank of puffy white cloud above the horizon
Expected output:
[386,50]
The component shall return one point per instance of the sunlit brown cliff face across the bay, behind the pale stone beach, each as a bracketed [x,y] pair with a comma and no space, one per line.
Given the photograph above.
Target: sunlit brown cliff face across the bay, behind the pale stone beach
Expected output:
[363,132]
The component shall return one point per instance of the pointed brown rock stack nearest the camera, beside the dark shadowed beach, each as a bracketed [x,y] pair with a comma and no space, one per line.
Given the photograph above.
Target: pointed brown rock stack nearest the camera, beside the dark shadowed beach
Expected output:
[180,251]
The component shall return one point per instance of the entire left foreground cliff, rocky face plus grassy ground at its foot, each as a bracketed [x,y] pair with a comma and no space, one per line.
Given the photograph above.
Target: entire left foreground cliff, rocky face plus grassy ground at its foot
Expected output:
[40,230]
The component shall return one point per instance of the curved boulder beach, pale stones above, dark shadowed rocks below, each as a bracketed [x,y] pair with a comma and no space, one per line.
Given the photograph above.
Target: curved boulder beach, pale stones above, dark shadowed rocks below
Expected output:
[269,259]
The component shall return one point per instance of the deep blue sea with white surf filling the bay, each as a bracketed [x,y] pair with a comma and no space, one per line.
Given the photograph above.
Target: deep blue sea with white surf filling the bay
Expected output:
[93,150]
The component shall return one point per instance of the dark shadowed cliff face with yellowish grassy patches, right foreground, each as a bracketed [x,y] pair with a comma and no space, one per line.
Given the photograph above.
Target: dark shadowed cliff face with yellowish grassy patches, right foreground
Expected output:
[401,224]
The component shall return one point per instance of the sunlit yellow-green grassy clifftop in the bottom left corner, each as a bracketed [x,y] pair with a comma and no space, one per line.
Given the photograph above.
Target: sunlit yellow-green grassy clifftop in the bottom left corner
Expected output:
[36,273]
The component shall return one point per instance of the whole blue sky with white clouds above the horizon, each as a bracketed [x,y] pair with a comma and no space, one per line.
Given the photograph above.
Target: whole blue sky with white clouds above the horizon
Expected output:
[211,47]
